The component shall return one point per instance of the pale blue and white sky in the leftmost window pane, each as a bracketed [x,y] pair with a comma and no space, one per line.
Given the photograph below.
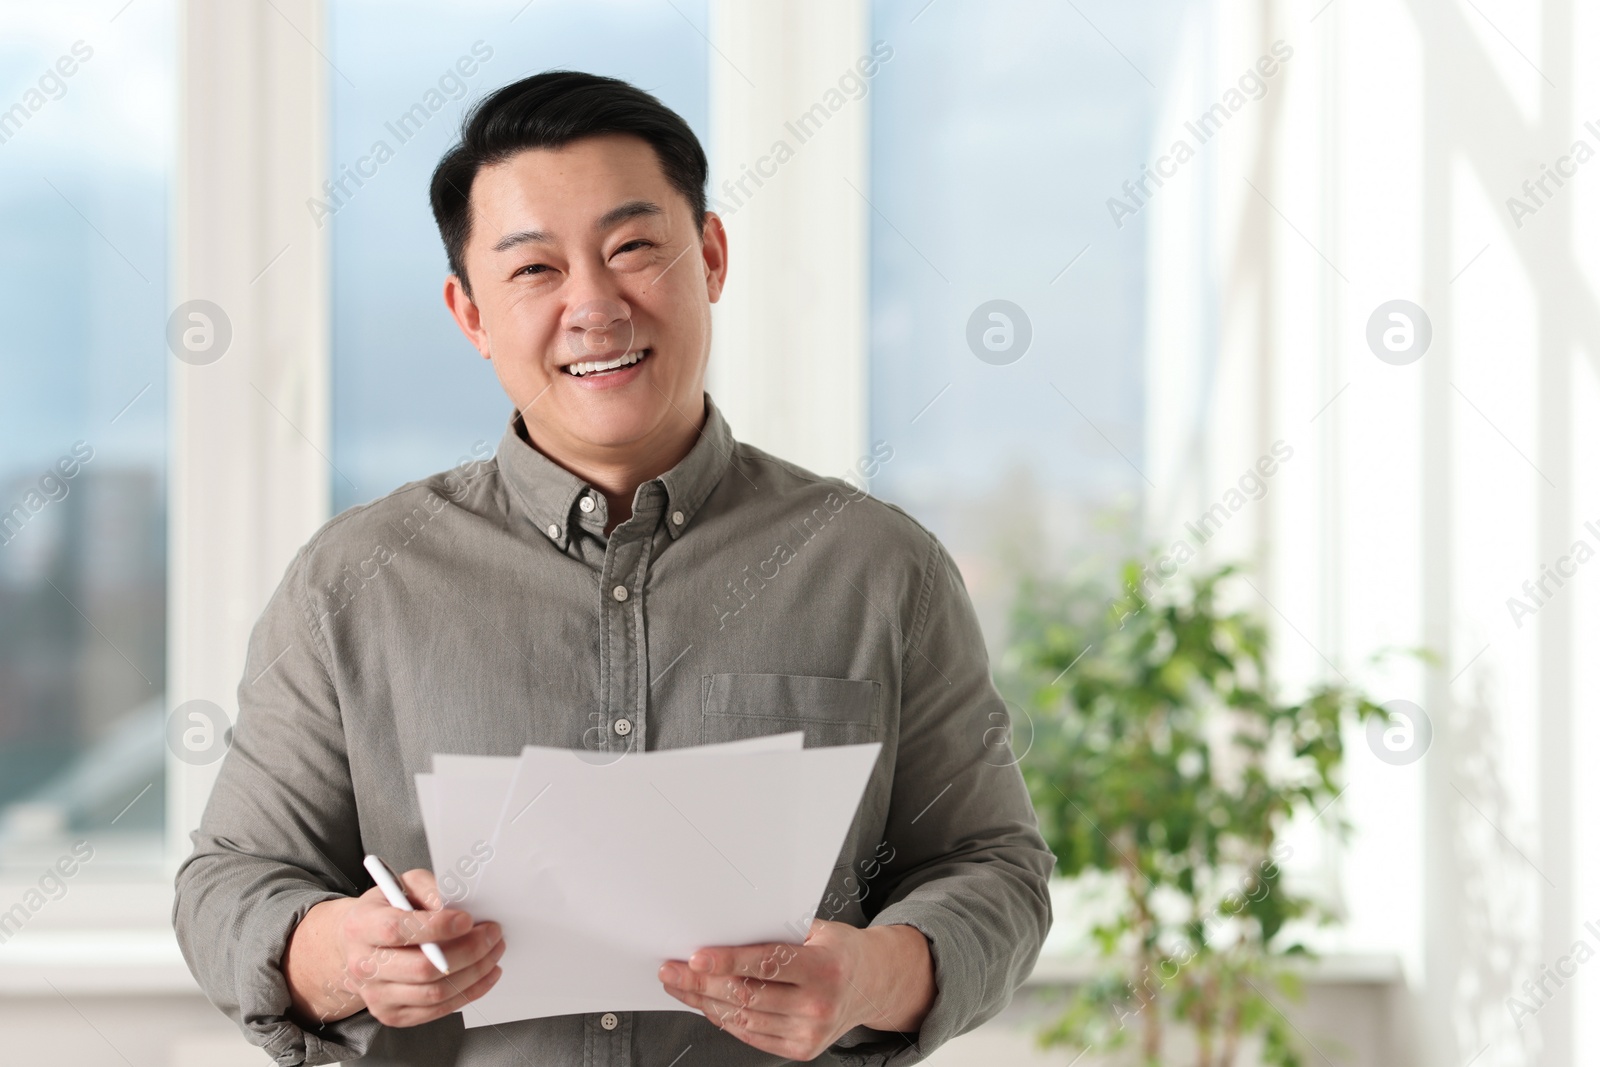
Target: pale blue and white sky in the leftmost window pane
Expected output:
[84,188]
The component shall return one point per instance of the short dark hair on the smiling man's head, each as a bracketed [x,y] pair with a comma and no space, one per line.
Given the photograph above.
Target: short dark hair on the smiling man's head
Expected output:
[548,111]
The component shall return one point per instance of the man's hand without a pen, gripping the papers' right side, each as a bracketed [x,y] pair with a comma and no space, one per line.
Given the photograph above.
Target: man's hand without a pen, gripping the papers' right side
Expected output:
[798,1001]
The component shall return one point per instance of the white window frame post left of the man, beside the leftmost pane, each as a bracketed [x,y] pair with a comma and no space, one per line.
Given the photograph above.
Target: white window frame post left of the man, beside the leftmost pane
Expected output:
[250,433]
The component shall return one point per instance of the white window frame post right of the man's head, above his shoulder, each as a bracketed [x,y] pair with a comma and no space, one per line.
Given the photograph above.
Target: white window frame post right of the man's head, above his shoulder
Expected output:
[790,350]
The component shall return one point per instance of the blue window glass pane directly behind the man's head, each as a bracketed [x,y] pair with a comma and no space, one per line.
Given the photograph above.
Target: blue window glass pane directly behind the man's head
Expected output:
[410,396]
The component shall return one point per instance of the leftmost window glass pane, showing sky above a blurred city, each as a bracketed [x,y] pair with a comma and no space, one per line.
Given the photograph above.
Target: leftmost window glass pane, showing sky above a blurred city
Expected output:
[86,145]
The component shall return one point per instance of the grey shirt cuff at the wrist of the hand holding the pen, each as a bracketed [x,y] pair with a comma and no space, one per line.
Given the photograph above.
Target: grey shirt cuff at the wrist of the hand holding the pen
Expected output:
[263,994]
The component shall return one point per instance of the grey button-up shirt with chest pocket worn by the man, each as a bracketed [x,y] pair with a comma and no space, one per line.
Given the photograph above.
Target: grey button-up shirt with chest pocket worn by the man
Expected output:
[486,609]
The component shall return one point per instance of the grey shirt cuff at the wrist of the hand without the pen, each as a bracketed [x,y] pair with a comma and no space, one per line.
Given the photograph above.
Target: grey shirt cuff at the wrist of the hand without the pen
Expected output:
[959,989]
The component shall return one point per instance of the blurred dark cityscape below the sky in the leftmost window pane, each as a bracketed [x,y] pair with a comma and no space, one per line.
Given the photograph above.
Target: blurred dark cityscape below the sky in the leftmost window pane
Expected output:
[82,669]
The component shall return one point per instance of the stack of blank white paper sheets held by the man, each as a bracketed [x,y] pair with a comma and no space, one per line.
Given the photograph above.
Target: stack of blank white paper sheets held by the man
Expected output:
[601,868]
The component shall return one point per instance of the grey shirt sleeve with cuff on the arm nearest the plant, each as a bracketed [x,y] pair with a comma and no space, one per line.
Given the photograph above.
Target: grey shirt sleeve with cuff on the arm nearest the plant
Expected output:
[970,869]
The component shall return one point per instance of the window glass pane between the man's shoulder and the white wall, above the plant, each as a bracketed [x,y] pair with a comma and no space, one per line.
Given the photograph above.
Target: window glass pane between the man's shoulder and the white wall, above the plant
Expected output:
[999,132]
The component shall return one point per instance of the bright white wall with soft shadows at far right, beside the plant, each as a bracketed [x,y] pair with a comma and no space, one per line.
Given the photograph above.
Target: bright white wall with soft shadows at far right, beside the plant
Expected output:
[1420,497]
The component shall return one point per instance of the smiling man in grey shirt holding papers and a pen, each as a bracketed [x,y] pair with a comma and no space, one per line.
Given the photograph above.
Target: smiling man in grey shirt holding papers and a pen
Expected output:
[623,575]
